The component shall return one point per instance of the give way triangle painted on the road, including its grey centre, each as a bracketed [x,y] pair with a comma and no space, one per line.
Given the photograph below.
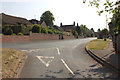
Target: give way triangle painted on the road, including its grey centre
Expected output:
[45,60]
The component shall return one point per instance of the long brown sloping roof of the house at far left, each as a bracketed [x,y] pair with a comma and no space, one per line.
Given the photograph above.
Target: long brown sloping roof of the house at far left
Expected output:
[12,20]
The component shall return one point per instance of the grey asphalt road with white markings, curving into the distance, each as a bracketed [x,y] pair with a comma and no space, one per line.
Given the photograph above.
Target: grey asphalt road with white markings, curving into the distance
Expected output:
[59,59]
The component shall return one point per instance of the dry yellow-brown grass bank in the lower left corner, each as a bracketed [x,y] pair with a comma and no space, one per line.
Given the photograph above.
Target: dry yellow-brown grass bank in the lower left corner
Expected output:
[11,61]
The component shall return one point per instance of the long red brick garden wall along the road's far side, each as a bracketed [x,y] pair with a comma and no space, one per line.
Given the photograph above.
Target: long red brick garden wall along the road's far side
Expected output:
[32,36]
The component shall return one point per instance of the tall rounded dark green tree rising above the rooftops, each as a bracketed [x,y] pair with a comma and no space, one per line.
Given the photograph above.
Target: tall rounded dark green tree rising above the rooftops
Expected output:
[48,17]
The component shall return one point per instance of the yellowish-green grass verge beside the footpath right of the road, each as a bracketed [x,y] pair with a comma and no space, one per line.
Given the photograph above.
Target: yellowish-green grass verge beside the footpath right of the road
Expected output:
[98,44]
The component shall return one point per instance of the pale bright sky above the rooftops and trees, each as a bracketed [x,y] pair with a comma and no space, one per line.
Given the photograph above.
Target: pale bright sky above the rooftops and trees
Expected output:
[64,11]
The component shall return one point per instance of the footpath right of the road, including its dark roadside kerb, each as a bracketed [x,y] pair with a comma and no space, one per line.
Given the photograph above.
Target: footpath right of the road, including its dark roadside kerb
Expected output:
[107,57]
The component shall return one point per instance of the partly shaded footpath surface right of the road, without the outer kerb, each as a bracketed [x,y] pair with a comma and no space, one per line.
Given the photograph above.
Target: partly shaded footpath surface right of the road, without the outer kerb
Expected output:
[109,56]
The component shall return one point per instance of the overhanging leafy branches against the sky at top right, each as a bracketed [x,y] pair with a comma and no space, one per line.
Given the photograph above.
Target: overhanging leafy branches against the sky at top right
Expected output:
[107,4]
